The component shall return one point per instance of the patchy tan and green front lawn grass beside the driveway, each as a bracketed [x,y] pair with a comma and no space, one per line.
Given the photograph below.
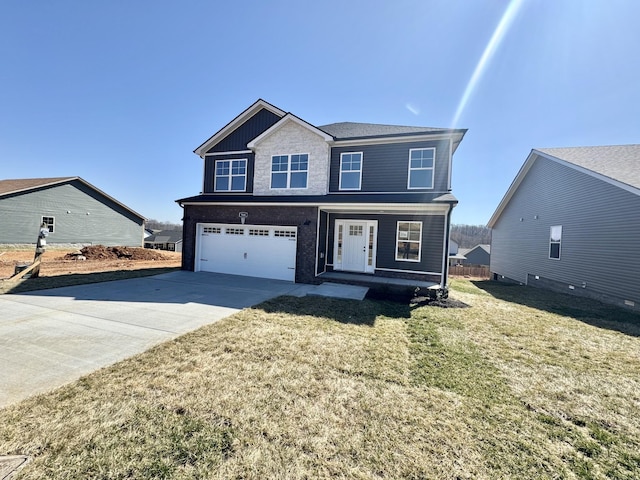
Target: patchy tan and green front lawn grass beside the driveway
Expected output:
[522,384]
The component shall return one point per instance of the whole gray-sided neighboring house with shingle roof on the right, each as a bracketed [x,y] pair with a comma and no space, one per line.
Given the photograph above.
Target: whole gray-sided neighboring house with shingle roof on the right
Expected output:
[570,222]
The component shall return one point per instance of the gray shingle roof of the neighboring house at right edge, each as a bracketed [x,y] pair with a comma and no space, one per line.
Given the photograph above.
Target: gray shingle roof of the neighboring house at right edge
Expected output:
[618,162]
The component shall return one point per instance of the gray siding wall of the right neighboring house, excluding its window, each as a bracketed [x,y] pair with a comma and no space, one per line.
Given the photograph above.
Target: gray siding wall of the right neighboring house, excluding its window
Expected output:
[600,231]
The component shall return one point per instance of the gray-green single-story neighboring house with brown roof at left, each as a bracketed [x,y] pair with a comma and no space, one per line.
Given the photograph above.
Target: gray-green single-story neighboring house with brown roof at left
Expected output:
[74,211]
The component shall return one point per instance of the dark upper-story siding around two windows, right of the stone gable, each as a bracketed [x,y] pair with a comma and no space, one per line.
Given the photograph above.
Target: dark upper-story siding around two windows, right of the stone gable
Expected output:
[385,167]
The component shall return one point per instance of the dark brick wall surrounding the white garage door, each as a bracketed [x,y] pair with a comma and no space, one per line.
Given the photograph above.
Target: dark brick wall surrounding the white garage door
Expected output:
[258,215]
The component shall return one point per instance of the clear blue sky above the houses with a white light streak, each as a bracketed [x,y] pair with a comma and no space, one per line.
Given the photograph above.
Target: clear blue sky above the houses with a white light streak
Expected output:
[121,92]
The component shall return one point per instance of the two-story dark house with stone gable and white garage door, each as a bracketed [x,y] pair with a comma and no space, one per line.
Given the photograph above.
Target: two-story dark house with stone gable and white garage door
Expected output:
[285,199]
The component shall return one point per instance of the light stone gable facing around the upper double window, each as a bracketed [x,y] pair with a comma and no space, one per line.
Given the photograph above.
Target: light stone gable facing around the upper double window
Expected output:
[290,139]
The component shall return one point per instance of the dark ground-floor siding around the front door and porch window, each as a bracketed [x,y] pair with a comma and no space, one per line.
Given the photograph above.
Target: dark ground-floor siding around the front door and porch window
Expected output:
[432,240]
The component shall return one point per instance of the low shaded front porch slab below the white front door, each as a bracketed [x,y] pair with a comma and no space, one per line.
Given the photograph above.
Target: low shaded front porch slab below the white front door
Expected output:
[386,284]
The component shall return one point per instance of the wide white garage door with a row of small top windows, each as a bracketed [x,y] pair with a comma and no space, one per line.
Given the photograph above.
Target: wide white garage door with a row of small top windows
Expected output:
[252,250]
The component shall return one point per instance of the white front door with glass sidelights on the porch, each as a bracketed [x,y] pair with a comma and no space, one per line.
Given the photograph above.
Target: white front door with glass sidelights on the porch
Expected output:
[355,244]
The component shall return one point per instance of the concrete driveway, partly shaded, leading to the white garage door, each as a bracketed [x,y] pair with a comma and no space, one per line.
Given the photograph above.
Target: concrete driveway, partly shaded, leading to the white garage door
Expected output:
[52,337]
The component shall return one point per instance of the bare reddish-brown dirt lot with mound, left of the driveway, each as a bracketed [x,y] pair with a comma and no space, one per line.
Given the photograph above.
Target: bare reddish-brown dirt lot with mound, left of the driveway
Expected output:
[98,259]
